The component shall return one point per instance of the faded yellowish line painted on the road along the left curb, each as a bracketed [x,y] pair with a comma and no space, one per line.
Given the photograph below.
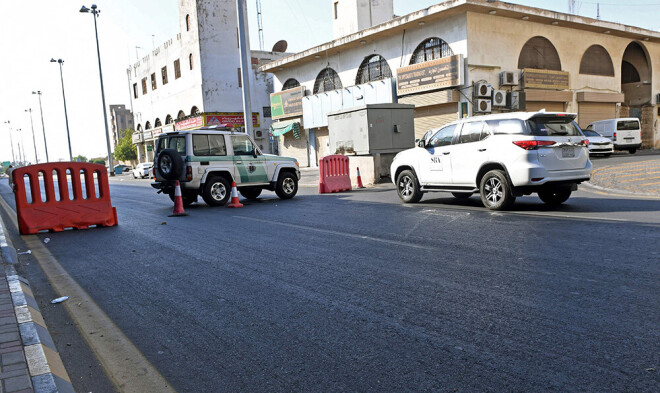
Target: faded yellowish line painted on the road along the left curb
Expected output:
[127,367]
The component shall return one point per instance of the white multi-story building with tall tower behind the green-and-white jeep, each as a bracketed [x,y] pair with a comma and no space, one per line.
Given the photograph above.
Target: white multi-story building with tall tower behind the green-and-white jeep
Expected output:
[194,79]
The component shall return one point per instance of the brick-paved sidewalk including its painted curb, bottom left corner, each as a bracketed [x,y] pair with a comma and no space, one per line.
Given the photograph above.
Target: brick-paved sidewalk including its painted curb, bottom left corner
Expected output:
[29,361]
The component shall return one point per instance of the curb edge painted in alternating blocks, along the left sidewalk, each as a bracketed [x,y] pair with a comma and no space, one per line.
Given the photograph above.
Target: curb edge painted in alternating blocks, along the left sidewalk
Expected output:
[47,372]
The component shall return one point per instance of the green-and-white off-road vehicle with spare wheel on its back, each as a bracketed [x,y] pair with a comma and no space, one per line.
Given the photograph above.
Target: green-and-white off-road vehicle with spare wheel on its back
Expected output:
[206,162]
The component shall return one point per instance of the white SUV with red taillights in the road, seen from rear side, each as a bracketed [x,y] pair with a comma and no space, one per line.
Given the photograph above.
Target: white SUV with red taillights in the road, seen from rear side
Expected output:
[501,156]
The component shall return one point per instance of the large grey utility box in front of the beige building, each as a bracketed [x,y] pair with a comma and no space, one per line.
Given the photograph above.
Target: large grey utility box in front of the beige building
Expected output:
[372,129]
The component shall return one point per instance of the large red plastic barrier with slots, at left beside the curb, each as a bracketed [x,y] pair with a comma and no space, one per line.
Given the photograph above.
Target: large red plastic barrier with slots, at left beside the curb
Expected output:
[56,215]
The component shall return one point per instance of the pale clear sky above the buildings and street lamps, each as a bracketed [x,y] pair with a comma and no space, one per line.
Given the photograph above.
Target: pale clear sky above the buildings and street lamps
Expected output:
[30,37]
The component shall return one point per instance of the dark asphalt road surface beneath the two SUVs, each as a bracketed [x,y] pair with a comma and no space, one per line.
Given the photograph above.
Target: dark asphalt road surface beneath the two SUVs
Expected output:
[357,292]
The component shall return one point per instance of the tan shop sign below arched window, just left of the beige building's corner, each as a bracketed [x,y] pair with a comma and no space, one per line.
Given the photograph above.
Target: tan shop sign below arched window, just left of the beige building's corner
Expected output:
[430,75]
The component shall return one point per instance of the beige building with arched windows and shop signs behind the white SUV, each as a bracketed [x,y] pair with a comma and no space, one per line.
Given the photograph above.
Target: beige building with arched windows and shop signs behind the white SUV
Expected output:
[466,58]
